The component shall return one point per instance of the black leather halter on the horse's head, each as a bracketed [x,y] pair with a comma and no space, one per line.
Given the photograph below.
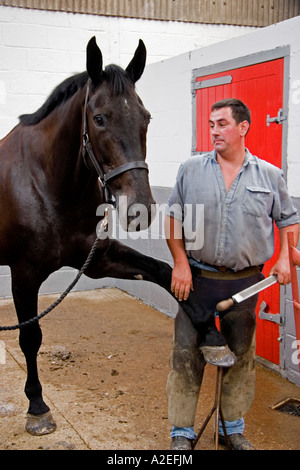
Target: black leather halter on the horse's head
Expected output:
[105,177]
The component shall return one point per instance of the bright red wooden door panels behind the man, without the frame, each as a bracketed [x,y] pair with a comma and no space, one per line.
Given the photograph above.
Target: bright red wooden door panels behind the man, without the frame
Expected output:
[260,87]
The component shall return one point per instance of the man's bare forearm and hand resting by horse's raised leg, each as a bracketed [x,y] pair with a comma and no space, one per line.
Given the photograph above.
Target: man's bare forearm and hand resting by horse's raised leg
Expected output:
[181,283]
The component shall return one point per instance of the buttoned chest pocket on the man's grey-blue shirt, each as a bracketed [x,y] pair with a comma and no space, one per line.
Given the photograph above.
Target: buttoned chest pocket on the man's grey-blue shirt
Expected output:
[257,201]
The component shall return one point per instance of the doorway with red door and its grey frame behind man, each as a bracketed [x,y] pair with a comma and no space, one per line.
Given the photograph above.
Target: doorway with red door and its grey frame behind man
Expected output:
[260,82]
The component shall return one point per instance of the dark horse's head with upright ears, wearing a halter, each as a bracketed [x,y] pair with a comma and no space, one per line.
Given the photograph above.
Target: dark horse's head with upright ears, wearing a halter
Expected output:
[116,125]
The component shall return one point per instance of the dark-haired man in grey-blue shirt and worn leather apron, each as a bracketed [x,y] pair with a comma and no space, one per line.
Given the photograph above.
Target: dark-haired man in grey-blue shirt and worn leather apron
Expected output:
[242,197]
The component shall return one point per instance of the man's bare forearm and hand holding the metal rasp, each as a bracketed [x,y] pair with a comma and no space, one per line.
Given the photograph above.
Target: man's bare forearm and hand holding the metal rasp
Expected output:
[282,266]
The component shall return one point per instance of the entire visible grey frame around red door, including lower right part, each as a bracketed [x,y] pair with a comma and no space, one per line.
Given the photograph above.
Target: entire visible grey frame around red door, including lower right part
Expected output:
[282,52]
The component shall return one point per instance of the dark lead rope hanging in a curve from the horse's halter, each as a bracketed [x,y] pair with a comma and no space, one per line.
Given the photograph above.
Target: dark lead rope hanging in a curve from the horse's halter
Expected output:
[102,228]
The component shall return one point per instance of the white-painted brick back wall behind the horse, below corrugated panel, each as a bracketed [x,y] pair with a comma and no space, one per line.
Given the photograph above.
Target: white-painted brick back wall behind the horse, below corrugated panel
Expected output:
[38,49]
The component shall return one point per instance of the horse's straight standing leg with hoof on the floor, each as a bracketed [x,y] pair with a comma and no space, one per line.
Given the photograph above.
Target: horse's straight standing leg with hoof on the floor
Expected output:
[25,291]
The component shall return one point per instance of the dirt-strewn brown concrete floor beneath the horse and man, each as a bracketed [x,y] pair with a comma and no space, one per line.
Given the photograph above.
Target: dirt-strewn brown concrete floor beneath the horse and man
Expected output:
[103,365]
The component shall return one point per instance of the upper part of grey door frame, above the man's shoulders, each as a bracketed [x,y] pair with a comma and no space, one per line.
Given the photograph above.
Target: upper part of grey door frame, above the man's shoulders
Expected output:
[244,61]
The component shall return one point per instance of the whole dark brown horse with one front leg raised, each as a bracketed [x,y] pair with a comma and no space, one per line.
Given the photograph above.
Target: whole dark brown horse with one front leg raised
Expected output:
[92,125]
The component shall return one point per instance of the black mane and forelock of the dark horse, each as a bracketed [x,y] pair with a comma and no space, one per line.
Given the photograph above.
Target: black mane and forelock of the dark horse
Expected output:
[116,78]
